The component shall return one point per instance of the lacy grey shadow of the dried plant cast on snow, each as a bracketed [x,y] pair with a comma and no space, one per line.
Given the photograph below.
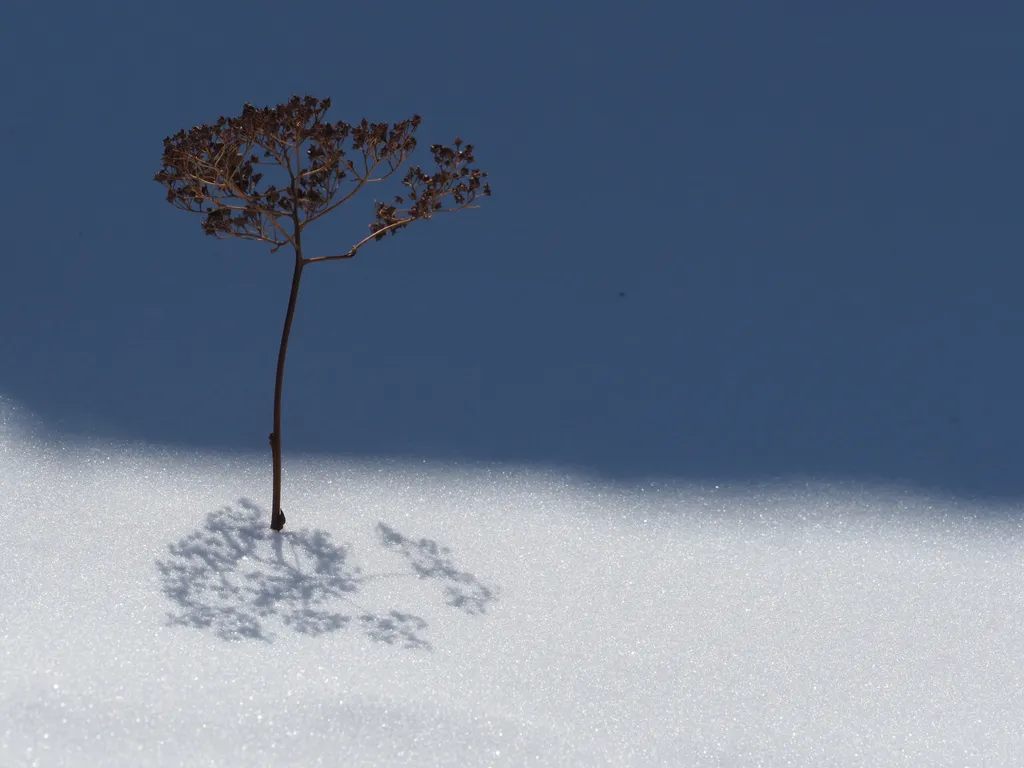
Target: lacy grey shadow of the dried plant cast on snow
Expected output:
[237,578]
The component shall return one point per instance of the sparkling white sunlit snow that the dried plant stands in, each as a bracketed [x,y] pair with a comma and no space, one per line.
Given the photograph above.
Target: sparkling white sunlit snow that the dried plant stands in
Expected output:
[446,616]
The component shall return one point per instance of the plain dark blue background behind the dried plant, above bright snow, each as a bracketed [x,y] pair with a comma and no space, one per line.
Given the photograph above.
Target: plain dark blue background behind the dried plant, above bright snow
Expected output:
[816,218]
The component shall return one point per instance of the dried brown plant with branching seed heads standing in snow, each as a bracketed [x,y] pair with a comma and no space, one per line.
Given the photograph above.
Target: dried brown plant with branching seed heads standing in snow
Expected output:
[271,173]
